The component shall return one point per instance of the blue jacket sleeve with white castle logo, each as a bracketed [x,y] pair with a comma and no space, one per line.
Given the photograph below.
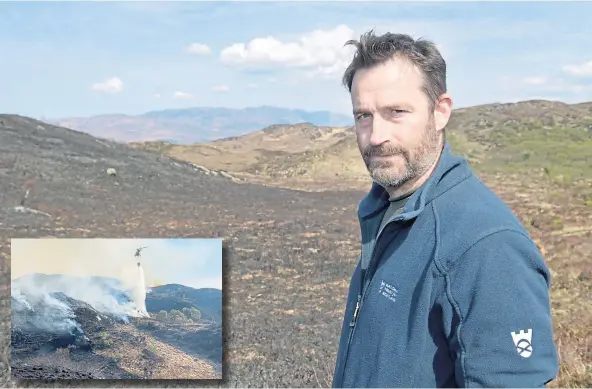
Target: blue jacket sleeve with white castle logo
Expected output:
[502,332]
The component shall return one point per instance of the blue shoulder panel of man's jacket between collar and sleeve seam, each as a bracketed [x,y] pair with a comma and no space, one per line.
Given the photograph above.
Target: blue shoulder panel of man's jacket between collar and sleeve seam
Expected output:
[469,213]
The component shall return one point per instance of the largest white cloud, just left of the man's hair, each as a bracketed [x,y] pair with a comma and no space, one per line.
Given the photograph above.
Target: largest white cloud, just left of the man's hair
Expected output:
[321,52]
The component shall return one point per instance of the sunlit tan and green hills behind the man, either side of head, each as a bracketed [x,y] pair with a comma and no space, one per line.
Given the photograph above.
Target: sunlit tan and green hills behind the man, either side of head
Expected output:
[496,138]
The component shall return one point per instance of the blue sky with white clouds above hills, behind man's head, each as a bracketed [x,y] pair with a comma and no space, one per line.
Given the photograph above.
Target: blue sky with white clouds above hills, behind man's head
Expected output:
[62,59]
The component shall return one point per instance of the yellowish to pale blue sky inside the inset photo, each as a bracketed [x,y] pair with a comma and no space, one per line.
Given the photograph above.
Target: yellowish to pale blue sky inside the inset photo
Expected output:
[191,262]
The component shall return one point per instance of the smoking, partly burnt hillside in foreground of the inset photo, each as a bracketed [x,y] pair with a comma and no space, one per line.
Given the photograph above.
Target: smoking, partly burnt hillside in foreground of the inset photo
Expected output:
[60,330]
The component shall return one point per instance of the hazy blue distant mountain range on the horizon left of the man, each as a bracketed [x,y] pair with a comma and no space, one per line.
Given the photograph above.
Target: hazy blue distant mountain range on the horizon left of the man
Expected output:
[200,124]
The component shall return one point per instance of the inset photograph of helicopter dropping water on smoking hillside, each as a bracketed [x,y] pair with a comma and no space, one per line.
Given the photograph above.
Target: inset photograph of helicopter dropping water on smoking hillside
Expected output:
[116,309]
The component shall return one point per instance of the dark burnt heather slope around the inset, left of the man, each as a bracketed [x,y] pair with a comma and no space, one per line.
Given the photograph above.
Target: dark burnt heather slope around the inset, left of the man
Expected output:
[277,261]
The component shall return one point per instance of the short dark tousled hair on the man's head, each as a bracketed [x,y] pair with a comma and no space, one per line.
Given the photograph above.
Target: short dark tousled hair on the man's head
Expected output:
[374,49]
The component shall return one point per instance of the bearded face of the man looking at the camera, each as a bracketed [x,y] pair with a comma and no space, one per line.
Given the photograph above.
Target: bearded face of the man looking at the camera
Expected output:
[397,132]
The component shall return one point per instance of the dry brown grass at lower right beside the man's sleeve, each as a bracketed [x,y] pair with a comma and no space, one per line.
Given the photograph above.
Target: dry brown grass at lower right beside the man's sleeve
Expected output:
[567,250]
